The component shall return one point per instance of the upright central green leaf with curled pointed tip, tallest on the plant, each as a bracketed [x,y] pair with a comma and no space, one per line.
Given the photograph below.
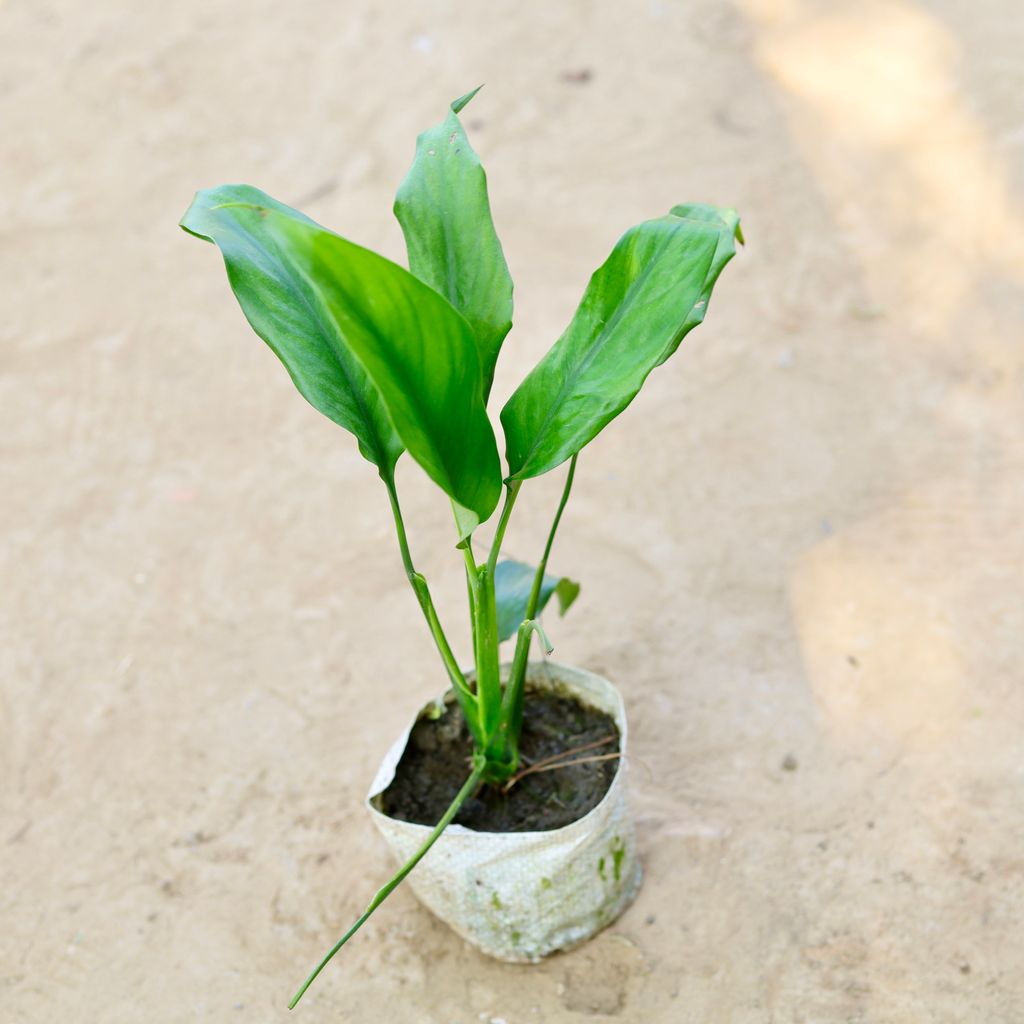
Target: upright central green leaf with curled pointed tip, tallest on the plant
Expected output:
[453,247]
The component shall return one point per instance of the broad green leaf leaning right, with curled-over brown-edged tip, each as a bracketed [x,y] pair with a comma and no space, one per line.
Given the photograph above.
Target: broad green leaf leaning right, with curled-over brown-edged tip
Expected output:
[636,310]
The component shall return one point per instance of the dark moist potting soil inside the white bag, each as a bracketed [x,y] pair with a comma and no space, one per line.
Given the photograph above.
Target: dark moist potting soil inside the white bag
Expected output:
[436,764]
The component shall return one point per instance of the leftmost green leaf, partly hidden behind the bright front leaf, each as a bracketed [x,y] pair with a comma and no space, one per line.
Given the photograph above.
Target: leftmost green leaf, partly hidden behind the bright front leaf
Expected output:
[274,298]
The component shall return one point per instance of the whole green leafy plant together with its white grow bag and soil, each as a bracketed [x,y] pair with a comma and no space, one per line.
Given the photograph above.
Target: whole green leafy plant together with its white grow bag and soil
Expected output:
[517,774]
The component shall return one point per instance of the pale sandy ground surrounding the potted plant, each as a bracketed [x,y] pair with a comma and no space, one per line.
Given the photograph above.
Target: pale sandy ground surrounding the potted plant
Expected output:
[801,549]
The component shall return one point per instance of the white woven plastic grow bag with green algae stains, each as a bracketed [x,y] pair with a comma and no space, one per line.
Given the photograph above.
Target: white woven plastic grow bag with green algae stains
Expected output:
[521,897]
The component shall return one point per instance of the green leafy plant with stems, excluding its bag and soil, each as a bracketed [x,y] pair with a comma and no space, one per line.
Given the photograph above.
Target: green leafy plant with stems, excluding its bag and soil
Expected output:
[405,361]
